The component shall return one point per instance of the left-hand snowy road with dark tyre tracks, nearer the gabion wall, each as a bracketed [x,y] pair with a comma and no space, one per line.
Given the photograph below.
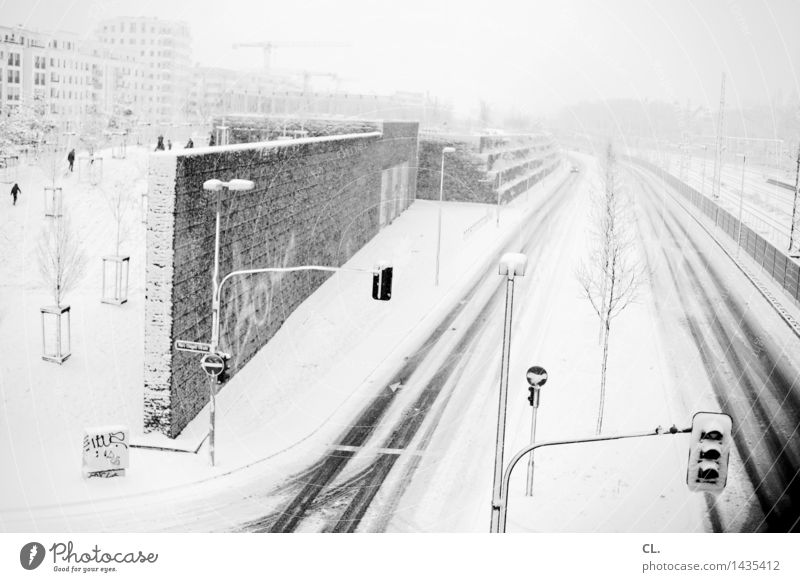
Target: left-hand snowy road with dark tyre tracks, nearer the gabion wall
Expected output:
[385,442]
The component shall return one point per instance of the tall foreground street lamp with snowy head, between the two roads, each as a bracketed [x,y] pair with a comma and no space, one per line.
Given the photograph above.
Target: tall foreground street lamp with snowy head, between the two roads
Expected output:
[511,265]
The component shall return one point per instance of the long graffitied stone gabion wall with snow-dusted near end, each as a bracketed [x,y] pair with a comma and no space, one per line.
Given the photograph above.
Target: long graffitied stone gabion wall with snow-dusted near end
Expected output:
[316,201]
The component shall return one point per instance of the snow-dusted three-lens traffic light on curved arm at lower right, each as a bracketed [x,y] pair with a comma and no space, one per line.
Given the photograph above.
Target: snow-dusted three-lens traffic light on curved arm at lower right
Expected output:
[709,451]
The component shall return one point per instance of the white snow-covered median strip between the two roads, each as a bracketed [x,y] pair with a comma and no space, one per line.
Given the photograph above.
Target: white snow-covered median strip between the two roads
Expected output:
[637,485]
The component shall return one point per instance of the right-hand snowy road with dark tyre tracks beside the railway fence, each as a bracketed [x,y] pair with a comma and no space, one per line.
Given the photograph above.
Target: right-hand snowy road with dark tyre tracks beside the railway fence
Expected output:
[734,354]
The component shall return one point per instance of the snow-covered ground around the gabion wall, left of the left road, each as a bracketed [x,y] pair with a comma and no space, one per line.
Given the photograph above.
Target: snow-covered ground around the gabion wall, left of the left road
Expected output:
[331,354]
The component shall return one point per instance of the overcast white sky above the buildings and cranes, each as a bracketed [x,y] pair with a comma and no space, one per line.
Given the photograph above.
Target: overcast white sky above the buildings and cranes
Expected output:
[534,55]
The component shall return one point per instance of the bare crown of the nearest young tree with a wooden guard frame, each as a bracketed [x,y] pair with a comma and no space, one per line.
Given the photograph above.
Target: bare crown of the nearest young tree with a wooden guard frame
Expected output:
[62,261]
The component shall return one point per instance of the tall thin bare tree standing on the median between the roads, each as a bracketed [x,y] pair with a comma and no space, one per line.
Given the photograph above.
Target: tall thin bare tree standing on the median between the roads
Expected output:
[612,274]
